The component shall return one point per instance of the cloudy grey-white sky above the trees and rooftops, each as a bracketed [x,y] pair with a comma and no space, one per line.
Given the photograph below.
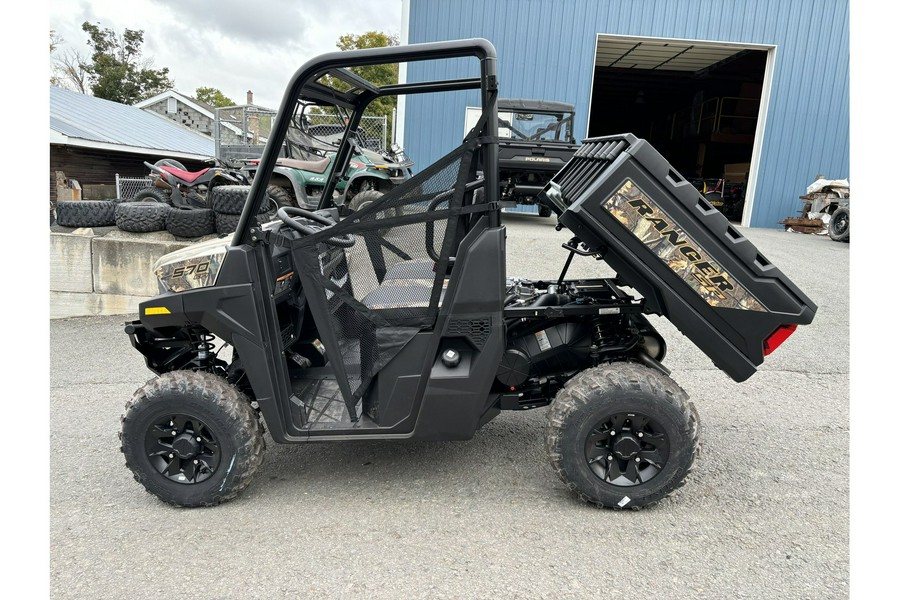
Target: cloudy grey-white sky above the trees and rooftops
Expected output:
[233,45]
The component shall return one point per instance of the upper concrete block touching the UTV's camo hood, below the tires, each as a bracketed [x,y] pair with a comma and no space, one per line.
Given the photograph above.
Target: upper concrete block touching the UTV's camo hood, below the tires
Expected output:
[122,266]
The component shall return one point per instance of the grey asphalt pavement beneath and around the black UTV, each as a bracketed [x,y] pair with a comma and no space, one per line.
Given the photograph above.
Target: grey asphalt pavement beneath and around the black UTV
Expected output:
[764,514]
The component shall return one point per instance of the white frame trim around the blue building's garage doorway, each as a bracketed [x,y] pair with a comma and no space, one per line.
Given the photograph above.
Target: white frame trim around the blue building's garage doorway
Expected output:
[770,50]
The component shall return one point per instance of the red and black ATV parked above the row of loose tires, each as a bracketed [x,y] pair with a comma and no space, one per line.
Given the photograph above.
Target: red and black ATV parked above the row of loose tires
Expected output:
[175,185]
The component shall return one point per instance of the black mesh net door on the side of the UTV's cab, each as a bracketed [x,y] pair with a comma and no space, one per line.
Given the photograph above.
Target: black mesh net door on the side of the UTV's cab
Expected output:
[389,284]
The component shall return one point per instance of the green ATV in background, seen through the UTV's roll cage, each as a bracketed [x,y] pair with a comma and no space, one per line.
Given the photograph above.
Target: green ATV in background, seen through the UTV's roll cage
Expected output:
[299,177]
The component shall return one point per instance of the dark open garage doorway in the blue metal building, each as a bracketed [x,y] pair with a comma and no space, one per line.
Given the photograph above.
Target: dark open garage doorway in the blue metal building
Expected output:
[701,104]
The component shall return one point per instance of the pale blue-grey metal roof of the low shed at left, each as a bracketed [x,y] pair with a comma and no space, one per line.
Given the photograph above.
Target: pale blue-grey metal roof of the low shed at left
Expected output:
[93,122]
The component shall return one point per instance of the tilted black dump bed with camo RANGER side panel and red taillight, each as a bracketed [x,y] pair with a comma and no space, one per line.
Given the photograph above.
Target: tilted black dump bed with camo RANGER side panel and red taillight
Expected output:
[619,195]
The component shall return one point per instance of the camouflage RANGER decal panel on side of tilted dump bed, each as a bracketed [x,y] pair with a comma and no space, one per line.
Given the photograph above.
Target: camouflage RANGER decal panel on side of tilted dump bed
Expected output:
[658,232]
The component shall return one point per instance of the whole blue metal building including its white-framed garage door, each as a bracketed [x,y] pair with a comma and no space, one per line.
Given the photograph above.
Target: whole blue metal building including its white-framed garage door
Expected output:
[576,50]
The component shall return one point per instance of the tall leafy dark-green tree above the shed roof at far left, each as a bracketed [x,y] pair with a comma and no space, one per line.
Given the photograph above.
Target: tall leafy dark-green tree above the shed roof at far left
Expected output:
[117,71]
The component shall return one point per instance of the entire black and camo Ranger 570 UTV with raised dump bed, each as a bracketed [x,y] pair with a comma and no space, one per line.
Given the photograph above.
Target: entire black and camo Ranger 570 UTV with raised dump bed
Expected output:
[397,321]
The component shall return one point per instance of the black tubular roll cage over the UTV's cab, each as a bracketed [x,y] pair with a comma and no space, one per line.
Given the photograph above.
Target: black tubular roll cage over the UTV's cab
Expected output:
[303,86]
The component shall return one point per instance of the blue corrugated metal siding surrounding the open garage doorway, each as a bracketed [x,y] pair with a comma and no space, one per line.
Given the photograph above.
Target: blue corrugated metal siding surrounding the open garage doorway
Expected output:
[546,51]
